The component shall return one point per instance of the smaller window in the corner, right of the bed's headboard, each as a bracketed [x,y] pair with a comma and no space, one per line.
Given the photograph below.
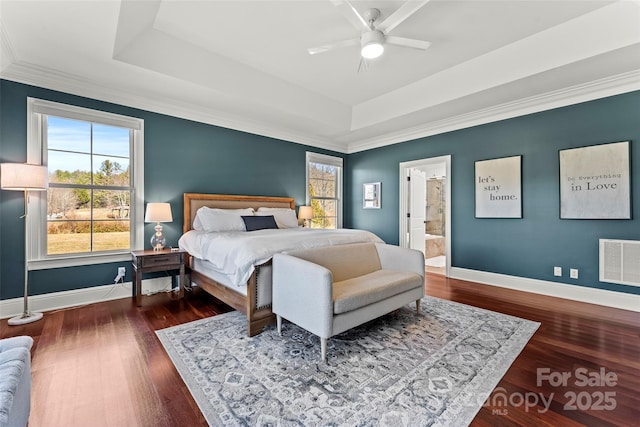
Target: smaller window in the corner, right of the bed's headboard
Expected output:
[324,190]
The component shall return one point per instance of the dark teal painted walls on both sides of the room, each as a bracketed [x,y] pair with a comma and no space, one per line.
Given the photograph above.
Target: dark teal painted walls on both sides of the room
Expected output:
[185,156]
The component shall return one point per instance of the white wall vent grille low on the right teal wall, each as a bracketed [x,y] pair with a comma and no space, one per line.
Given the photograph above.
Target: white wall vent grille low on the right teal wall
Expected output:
[620,261]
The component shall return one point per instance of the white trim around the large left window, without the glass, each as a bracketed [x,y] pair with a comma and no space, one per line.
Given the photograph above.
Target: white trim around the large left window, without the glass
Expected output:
[37,256]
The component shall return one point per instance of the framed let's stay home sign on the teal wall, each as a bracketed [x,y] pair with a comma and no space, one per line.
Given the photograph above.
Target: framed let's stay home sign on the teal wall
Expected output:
[499,188]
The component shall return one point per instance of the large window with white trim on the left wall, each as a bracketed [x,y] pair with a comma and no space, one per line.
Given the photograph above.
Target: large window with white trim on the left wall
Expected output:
[92,211]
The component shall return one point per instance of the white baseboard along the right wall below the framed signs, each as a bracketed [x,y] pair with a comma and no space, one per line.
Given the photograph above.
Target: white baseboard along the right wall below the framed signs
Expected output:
[561,290]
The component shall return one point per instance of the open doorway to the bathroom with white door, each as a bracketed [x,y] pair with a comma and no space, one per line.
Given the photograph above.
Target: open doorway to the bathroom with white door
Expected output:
[425,210]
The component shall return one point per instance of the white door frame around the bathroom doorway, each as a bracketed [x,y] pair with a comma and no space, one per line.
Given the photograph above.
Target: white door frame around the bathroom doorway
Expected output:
[404,201]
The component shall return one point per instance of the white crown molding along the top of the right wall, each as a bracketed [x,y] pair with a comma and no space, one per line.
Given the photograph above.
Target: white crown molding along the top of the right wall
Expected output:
[602,88]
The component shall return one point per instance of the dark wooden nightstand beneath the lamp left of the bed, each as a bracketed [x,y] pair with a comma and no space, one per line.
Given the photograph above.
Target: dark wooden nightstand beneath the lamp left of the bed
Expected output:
[148,261]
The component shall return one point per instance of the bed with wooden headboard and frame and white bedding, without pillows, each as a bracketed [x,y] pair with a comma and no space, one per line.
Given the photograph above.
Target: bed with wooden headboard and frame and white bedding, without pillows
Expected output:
[248,291]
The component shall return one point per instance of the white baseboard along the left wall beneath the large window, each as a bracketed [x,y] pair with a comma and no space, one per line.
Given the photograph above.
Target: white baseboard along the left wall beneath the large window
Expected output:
[58,300]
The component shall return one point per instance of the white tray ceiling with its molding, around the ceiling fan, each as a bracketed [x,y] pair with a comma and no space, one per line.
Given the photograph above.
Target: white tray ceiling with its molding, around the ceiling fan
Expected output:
[244,65]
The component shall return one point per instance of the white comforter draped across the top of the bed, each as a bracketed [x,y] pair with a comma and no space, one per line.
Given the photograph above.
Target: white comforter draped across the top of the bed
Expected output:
[235,254]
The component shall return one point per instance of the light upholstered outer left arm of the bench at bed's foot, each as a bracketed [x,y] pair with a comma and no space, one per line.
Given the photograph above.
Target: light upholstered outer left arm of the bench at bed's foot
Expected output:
[303,294]
